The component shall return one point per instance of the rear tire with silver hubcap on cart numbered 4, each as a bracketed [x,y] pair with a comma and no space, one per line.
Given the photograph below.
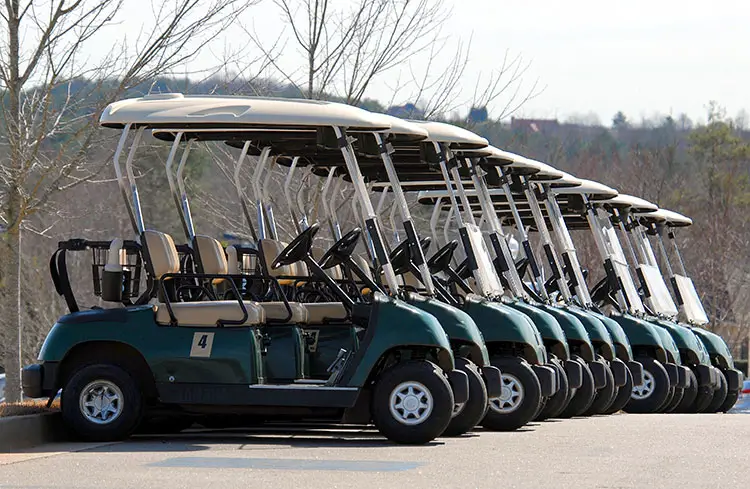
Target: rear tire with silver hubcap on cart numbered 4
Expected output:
[101,403]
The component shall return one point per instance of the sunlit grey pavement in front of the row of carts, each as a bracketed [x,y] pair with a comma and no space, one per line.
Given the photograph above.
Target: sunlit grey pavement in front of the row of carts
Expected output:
[619,451]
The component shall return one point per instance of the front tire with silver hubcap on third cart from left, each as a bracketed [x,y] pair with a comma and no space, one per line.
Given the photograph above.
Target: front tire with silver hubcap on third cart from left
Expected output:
[522,394]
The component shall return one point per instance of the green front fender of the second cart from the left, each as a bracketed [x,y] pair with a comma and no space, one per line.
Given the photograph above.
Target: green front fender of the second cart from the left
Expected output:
[458,325]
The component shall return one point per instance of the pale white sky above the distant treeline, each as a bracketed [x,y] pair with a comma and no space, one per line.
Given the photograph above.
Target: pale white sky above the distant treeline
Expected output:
[590,58]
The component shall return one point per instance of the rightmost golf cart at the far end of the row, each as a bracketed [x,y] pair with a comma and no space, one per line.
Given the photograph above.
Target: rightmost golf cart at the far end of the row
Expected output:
[690,308]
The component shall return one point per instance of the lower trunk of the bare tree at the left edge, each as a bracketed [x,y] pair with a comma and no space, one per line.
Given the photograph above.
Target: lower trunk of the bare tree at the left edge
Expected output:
[10,321]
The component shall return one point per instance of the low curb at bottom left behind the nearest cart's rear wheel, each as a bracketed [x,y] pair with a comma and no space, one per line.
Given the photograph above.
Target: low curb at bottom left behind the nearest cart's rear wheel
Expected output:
[19,432]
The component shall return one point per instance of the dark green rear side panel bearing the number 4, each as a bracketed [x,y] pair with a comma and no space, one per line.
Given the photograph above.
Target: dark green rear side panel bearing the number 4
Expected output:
[226,355]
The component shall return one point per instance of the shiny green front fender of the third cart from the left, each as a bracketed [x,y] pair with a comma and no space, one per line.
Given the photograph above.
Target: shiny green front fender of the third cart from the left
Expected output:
[502,324]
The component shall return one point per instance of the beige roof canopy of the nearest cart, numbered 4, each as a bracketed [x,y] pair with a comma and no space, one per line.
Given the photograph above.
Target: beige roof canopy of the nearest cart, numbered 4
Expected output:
[174,110]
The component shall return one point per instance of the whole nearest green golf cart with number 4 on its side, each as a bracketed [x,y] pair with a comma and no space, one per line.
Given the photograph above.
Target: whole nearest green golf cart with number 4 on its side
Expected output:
[154,352]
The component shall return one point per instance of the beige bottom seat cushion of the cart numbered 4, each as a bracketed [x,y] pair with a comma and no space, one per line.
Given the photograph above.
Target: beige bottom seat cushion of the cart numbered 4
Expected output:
[207,314]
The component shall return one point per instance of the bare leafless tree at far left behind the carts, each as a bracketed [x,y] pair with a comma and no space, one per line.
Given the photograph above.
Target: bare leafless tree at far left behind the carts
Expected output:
[52,97]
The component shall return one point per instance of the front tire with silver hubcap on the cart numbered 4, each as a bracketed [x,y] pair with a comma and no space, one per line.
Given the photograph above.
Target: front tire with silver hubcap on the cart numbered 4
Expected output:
[412,402]
